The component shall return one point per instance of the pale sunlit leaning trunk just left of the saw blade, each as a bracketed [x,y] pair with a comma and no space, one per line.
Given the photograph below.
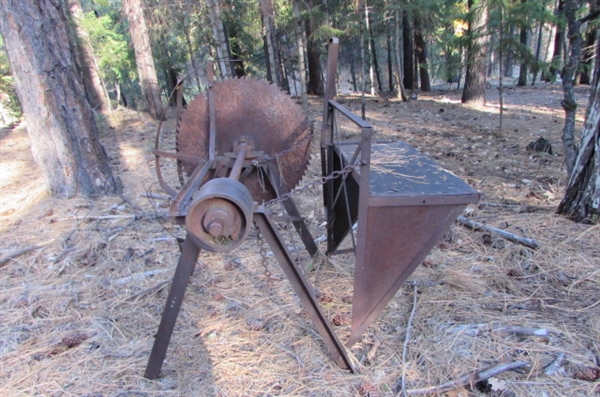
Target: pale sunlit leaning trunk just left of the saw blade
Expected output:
[143,57]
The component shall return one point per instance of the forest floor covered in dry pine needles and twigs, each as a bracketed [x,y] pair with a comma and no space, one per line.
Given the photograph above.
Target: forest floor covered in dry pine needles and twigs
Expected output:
[83,282]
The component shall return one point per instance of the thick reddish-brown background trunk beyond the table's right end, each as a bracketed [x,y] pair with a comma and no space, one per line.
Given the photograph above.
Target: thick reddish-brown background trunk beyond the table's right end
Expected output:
[474,88]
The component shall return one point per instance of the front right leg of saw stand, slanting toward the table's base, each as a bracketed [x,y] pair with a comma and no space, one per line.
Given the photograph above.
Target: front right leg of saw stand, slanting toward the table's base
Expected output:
[303,290]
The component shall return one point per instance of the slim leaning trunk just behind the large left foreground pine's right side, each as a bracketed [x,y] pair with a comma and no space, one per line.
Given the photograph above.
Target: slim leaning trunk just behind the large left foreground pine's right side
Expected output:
[96,92]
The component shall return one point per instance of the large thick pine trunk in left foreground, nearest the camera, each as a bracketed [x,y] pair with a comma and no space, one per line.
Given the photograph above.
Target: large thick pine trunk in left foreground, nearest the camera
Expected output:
[60,121]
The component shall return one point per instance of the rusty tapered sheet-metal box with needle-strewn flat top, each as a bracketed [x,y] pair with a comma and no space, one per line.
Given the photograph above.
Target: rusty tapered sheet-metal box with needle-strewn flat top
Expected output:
[411,202]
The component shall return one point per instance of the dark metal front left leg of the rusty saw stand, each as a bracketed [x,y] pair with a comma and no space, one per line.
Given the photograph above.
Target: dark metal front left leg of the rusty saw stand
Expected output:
[185,269]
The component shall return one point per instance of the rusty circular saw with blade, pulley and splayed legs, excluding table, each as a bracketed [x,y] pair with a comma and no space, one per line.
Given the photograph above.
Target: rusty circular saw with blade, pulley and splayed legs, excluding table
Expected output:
[240,128]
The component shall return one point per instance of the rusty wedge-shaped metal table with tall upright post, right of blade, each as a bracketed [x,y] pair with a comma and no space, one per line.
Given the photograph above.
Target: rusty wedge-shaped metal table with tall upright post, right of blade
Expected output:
[401,201]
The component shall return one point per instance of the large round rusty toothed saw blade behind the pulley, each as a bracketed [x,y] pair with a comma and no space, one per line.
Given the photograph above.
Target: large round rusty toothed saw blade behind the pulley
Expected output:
[254,109]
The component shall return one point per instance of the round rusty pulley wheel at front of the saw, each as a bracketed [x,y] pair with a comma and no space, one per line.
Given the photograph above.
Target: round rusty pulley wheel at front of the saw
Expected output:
[220,215]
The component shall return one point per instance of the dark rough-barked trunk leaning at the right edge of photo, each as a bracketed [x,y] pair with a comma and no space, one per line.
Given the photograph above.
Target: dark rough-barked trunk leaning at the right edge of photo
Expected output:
[581,202]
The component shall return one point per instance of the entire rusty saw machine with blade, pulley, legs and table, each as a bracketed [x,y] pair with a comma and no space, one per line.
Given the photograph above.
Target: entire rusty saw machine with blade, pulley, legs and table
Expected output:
[244,142]
